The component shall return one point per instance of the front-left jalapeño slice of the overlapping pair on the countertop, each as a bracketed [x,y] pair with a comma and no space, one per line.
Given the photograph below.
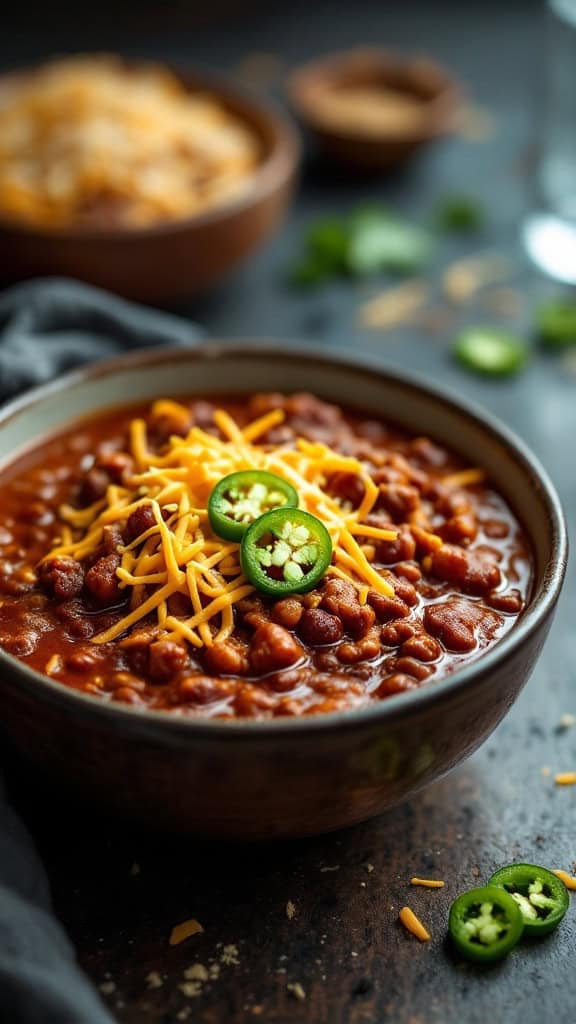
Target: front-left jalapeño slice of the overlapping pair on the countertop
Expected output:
[485,924]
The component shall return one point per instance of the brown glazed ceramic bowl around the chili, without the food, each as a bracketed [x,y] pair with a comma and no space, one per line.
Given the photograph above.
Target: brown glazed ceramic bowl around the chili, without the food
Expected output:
[286,778]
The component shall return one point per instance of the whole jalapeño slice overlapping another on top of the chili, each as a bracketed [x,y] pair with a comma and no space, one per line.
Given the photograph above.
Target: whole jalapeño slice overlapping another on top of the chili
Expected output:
[286,551]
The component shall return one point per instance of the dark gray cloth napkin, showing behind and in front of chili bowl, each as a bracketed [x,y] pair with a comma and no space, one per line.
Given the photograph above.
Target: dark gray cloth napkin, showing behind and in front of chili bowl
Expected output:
[47,328]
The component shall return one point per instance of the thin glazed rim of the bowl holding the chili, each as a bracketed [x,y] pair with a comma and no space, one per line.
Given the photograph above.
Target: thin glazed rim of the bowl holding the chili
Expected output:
[158,723]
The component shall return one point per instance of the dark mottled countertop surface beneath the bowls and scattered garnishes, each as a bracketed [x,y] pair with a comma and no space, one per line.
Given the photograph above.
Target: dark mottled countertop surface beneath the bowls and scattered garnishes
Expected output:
[120,891]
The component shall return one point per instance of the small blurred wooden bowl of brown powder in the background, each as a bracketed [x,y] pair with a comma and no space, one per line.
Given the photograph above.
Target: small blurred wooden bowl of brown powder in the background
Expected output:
[355,142]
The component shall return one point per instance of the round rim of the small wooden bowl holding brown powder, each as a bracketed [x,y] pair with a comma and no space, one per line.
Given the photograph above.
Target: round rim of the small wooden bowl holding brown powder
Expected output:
[441,107]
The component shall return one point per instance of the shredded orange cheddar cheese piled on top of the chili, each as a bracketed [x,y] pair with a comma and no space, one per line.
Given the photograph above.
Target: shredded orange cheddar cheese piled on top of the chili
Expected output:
[181,556]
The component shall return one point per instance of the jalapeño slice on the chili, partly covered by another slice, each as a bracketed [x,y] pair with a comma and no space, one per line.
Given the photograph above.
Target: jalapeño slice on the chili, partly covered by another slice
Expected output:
[241,498]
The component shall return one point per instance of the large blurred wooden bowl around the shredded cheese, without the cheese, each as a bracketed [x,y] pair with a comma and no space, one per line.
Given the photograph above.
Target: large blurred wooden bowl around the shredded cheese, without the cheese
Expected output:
[174,260]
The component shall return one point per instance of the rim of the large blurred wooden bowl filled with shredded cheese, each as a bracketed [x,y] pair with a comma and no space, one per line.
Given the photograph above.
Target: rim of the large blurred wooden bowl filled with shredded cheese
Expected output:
[277,168]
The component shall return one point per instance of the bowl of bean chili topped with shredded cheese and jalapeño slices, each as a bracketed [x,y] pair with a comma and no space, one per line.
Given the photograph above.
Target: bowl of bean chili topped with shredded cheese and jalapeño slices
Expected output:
[373,576]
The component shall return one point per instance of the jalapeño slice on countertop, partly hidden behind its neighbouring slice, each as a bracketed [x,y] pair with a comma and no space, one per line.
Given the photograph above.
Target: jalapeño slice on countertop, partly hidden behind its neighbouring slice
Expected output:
[542,897]
